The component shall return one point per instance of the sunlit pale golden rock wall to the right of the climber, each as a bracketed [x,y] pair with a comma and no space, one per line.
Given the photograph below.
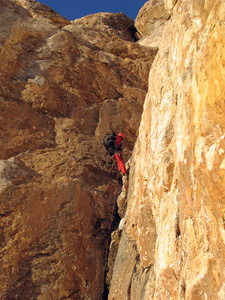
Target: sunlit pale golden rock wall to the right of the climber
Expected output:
[173,243]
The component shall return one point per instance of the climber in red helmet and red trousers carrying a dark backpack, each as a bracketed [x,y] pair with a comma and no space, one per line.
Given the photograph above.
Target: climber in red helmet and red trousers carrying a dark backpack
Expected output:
[112,143]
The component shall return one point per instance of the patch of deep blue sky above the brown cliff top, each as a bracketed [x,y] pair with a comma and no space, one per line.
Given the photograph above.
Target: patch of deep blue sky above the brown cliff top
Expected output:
[74,9]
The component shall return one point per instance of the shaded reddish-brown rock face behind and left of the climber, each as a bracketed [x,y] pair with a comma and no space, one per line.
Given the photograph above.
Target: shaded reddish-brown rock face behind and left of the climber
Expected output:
[62,87]
